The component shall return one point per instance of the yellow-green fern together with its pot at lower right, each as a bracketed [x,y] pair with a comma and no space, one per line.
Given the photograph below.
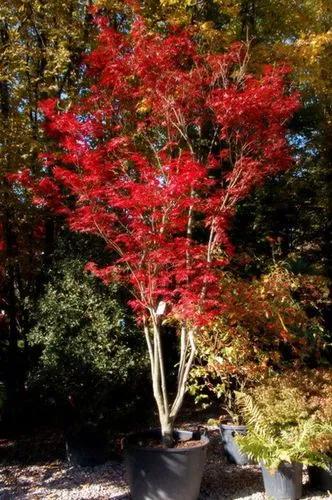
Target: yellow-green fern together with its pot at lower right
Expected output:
[280,433]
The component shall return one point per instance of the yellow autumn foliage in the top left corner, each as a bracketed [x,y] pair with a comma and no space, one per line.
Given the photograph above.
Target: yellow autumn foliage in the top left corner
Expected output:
[40,48]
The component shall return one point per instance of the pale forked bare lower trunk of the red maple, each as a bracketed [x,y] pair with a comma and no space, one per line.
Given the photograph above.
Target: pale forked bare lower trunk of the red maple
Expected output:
[168,410]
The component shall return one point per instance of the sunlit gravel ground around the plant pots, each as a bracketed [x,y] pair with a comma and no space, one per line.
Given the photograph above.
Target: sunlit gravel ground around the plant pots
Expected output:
[58,481]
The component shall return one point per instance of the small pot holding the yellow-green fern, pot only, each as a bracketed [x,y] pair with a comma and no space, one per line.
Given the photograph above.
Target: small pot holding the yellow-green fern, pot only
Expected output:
[285,482]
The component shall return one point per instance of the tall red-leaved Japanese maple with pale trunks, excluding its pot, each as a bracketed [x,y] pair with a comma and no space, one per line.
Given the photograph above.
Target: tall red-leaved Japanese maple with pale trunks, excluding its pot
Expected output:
[156,155]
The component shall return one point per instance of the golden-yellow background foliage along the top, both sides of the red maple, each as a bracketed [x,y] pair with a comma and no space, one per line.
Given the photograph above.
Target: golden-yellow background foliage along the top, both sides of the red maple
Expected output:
[46,37]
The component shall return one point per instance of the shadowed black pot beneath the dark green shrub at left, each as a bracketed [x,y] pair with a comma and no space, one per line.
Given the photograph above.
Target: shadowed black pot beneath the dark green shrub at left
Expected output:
[86,447]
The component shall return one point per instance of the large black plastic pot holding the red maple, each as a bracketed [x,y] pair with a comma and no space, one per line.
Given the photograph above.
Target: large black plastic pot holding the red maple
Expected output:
[164,473]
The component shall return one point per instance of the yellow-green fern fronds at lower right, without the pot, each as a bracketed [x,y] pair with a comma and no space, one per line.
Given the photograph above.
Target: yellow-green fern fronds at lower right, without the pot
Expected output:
[283,424]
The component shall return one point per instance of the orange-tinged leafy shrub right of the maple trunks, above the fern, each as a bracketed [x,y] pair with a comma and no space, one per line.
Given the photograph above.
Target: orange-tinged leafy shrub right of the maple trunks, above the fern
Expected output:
[268,324]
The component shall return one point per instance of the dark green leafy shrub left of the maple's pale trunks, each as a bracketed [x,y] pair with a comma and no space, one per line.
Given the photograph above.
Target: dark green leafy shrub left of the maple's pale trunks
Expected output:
[90,349]
